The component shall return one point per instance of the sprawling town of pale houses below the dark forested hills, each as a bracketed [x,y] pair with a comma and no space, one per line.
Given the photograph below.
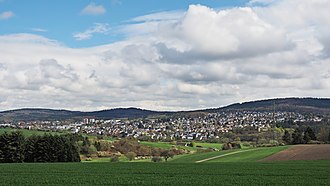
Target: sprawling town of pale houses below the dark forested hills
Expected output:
[210,126]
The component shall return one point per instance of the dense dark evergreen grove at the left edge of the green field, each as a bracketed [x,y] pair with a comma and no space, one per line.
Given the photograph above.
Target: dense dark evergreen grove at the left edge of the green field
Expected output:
[15,148]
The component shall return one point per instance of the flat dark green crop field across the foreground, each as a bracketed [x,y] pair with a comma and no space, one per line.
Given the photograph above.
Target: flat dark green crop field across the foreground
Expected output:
[247,173]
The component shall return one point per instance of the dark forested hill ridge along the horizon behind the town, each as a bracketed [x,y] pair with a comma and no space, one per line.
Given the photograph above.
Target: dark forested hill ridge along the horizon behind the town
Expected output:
[301,105]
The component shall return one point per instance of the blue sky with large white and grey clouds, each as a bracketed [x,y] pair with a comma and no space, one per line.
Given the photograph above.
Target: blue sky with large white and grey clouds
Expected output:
[161,55]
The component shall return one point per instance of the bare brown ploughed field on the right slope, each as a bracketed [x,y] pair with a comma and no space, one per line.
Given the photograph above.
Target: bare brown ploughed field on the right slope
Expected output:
[302,152]
